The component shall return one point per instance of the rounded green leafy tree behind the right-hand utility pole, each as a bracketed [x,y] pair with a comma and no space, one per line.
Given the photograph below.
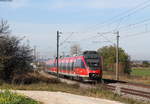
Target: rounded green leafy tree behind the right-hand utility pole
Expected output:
[109,55]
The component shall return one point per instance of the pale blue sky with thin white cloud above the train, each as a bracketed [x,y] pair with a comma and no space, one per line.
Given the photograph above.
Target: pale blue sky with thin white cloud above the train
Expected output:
[90,23]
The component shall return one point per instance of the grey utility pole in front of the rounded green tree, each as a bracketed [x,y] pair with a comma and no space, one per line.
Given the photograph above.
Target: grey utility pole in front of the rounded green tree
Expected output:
[117,56]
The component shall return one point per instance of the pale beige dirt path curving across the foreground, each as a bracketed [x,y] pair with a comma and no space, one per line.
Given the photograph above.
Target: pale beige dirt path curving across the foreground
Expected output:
[64,98]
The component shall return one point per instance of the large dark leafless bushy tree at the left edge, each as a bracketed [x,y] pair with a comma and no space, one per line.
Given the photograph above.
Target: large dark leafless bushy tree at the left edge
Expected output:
[15,58]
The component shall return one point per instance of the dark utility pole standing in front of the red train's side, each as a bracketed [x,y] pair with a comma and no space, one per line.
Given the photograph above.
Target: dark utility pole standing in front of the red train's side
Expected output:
[58,53]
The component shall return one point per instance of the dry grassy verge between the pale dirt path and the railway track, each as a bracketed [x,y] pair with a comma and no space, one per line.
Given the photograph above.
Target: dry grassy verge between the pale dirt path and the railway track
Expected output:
[99,92]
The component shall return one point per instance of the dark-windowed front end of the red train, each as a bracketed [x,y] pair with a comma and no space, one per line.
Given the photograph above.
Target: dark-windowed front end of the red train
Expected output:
[94,65]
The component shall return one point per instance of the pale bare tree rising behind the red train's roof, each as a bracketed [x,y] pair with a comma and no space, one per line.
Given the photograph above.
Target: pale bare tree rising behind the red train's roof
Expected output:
[75,49]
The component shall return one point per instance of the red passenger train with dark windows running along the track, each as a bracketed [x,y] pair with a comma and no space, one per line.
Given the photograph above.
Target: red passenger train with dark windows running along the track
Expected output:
[85,67]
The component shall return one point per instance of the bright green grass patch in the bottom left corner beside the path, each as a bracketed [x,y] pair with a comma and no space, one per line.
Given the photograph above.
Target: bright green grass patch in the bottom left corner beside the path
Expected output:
[7,97]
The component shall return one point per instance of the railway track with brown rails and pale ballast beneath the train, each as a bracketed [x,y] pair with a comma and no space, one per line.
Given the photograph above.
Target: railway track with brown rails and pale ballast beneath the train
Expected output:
[134,90]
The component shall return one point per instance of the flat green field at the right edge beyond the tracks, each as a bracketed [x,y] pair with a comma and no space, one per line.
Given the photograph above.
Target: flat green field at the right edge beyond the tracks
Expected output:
[141,72]
